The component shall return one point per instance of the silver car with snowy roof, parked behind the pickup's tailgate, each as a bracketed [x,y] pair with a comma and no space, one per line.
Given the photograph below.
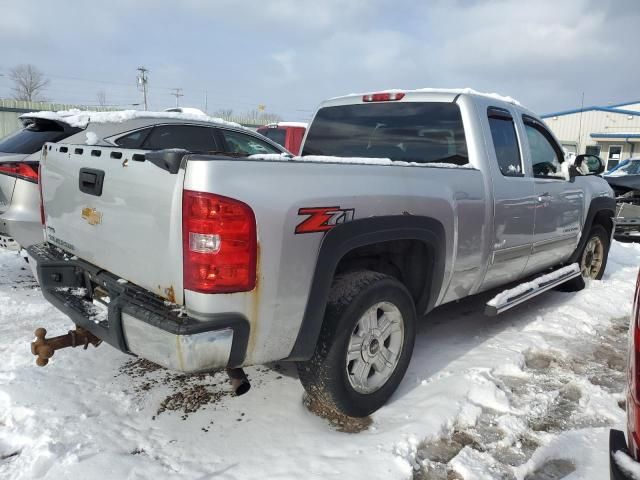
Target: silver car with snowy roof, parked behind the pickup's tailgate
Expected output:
[20,223]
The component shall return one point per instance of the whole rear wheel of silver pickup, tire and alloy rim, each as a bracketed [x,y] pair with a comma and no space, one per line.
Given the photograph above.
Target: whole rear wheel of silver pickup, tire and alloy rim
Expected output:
[365,345]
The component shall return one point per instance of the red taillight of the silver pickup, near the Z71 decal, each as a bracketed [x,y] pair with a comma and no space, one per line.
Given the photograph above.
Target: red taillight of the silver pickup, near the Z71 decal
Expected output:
[219,244]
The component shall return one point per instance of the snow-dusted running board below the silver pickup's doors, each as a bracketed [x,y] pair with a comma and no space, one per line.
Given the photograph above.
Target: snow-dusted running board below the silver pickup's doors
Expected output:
[526,291]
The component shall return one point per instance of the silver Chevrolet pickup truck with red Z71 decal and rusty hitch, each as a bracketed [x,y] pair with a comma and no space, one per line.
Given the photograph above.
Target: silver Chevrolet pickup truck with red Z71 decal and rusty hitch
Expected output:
[401,201]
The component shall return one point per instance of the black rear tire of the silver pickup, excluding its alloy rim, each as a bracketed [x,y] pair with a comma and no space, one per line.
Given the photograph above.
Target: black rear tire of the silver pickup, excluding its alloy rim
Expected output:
[325,376]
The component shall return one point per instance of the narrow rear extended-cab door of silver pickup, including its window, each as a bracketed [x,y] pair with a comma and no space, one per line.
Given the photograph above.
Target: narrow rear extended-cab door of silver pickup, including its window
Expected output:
[514,198]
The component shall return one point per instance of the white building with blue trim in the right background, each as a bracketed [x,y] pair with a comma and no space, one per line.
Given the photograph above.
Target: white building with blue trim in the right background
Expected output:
[611,132]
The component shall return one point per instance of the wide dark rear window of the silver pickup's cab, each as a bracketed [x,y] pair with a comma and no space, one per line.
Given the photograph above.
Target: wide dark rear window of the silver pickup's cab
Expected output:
[410,132]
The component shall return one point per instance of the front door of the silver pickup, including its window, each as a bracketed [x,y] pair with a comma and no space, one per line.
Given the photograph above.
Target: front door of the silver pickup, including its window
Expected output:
[559,202]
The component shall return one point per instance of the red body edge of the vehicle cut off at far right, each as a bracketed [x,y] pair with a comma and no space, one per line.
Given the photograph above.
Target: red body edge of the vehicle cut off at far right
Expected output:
[633,393]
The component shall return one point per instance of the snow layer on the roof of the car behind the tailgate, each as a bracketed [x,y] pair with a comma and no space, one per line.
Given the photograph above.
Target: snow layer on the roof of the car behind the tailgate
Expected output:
[81,118]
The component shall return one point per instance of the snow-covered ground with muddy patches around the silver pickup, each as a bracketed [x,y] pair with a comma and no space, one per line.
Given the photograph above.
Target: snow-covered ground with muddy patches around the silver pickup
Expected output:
[530,395]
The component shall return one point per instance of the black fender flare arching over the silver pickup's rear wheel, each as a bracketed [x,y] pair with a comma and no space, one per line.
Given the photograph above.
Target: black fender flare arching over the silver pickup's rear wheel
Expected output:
[358,233]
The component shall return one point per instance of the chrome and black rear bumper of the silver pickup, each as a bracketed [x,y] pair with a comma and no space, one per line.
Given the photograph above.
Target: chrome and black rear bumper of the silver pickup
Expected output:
[135,320]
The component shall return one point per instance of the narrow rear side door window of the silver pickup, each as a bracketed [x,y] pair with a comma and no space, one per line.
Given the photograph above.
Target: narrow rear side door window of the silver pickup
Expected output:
[505,142]
